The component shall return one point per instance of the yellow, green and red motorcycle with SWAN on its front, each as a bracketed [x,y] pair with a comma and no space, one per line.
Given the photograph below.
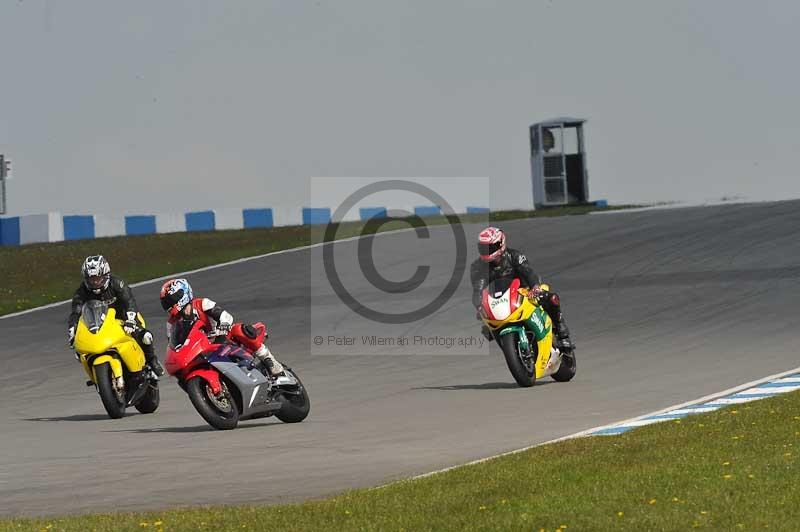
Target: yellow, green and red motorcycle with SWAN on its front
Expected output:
[524,332]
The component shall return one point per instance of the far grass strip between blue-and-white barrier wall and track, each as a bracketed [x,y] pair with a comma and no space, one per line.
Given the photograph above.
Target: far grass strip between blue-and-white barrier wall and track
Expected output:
[38,274]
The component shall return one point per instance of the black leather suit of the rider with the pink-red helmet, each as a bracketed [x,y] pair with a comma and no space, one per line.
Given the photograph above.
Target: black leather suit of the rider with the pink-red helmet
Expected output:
[514,264]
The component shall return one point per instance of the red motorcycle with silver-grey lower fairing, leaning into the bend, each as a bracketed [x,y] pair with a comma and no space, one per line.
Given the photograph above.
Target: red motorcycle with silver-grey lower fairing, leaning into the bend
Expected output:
[223,381]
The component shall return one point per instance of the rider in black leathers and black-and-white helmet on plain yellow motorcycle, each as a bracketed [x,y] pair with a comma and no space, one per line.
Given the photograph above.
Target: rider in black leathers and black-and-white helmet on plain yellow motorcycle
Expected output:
[99,284]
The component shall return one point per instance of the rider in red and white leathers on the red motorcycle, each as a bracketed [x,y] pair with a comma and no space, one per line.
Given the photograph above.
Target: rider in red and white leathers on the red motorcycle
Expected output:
[177,299]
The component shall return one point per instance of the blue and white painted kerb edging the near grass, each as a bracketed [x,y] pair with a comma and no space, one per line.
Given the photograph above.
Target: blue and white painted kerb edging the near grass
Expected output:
[770,388]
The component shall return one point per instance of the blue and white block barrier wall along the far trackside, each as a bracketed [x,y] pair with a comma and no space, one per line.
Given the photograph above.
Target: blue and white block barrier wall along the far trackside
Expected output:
[53,227]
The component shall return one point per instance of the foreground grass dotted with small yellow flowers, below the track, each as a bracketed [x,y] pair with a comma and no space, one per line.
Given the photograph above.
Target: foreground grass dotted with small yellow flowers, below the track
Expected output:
[733,469]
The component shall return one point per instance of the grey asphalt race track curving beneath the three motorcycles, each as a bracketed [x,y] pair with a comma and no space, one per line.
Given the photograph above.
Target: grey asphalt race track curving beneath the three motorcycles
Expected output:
[665,305]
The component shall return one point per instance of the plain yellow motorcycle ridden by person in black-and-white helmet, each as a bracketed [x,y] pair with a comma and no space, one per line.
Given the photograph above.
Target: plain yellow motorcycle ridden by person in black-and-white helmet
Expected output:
[114,362]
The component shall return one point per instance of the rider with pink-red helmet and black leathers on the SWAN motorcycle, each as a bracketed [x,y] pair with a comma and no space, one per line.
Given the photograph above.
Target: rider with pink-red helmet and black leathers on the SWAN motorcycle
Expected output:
[496,261]
